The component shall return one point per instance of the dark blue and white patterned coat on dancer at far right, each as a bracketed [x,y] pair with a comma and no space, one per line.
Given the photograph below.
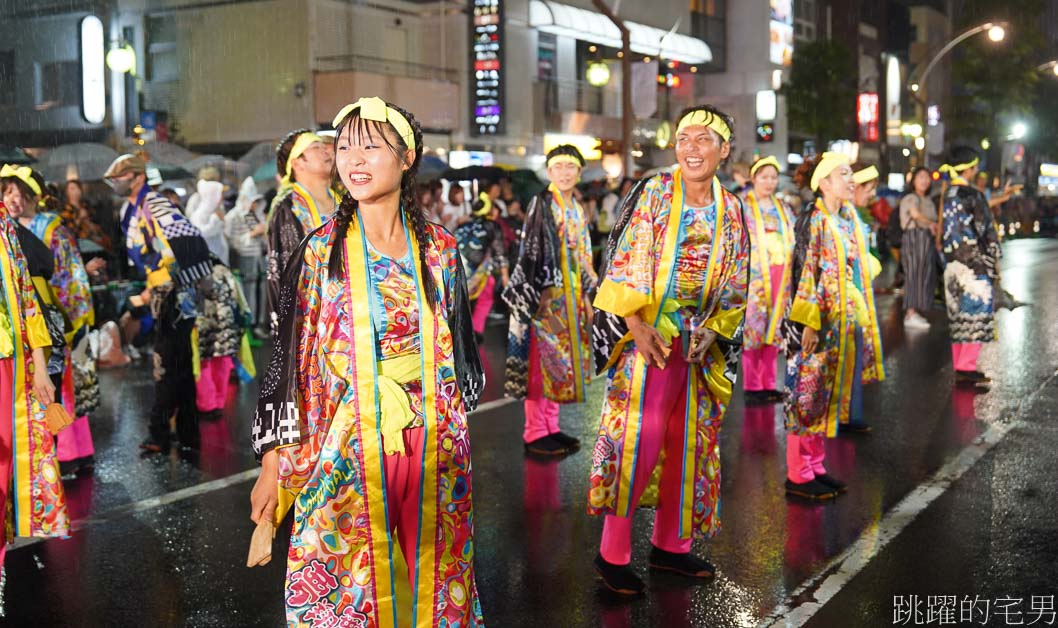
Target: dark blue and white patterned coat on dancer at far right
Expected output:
[972,250]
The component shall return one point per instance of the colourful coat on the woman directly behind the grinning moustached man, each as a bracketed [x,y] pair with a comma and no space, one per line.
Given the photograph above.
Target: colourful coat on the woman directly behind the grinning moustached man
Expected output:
[772,242]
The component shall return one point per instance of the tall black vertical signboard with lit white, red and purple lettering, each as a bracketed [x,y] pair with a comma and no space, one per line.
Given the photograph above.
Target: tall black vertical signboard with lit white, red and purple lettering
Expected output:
[487,68]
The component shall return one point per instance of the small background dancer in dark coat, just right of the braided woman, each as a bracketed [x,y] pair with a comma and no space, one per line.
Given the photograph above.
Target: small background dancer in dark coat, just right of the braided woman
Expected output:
[482,247]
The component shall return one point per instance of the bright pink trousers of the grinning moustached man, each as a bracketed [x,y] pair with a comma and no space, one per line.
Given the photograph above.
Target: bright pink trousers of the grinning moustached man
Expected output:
[662,426]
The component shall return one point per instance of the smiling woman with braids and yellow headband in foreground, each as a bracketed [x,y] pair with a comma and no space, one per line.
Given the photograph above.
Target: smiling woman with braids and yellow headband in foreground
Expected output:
[362,419]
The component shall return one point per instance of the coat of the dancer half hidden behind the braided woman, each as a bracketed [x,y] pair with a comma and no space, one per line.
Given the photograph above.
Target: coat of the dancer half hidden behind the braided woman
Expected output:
[294,214]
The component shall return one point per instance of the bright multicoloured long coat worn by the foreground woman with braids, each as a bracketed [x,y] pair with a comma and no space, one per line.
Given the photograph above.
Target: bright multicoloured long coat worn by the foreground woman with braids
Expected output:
[330,402]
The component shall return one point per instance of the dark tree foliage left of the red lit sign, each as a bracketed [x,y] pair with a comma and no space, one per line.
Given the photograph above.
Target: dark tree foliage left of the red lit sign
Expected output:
[822,90]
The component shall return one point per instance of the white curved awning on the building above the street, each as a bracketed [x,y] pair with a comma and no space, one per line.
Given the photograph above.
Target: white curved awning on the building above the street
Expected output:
[589,26]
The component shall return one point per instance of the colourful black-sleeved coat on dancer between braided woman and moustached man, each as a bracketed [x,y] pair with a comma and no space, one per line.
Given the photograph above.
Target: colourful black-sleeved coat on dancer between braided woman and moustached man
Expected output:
[555,267]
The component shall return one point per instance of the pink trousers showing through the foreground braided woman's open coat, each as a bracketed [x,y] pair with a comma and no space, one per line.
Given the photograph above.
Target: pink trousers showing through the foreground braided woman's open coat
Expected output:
[404,504]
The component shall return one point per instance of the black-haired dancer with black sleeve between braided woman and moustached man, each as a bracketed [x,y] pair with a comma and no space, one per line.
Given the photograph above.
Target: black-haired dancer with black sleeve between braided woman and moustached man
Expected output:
[550,339]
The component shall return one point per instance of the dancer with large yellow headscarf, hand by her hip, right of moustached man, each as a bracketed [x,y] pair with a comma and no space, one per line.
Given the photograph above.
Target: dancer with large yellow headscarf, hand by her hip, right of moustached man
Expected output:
[827,356]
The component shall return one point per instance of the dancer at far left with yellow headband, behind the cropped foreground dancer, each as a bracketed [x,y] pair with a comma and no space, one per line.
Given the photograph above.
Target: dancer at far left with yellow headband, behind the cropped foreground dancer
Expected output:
[69,291]
